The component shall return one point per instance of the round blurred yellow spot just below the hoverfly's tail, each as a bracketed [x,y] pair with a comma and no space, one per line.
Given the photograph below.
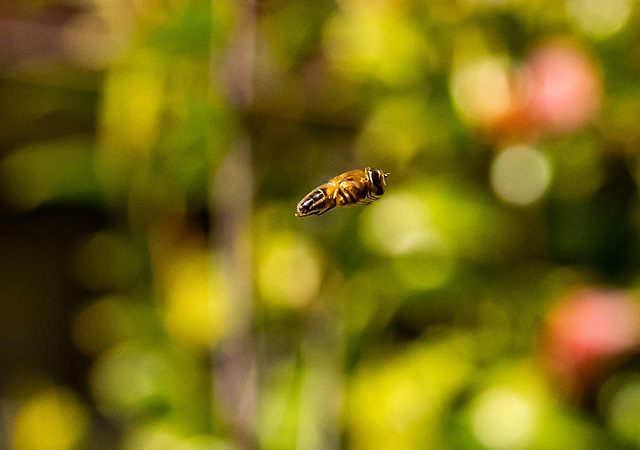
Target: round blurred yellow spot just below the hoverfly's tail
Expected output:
[288,271]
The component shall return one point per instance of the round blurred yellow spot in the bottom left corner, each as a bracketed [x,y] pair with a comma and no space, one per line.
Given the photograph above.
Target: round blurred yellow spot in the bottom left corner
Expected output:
[53,419]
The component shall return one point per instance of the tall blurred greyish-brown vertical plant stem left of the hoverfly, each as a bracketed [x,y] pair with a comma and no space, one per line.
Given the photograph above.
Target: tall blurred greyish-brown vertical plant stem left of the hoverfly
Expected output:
[234,360]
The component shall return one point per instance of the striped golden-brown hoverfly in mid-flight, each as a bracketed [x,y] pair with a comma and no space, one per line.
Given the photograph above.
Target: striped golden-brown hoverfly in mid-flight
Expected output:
[356,187]
